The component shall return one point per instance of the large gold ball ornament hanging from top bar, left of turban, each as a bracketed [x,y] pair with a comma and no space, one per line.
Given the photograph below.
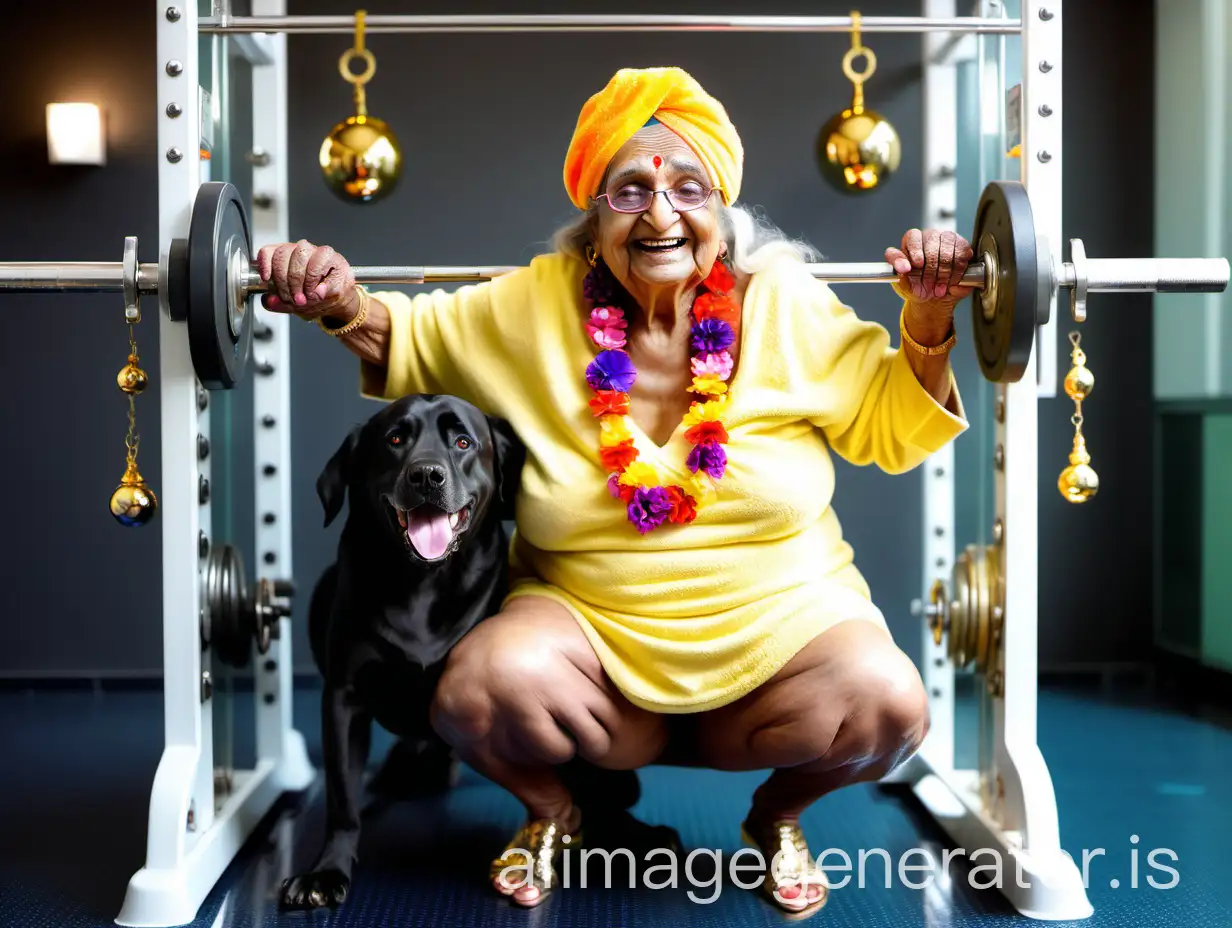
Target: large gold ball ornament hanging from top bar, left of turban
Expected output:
[362,158]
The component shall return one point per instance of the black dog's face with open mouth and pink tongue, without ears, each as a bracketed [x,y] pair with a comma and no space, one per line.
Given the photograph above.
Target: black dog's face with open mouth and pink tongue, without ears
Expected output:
[432,471]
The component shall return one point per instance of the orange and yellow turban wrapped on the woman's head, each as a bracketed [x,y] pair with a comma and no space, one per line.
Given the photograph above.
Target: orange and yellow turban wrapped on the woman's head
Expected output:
[631,99]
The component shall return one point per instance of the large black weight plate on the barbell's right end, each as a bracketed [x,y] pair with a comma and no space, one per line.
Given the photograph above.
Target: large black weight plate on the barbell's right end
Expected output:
[1005,343]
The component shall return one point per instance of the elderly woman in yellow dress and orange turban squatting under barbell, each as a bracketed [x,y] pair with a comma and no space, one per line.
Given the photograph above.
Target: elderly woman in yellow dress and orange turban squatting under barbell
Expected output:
[682,591]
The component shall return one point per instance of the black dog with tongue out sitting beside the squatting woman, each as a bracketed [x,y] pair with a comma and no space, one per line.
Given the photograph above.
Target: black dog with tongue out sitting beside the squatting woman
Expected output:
[423,558]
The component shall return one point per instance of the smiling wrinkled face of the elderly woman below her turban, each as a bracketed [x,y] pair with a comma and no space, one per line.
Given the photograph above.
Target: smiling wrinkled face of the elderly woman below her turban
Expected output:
[660,248]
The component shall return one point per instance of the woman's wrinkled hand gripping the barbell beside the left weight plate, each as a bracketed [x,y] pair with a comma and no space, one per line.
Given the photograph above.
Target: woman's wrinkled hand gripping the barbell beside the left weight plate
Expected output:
[307,280]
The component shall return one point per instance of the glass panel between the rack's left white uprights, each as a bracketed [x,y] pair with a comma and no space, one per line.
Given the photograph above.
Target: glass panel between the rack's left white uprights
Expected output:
[226,77]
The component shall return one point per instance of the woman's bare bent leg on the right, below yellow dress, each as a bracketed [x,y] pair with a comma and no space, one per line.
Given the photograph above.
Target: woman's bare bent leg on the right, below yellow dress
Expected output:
[849,708]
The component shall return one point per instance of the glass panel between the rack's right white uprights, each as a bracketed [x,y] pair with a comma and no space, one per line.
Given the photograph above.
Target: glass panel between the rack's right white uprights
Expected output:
[984,145]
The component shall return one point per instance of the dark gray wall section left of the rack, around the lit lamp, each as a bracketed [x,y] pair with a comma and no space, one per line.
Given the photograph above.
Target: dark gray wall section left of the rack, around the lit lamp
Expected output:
[83,593]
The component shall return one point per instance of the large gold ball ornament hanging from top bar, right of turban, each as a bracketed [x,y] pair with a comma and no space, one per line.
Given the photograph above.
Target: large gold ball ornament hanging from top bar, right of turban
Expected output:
[858,150]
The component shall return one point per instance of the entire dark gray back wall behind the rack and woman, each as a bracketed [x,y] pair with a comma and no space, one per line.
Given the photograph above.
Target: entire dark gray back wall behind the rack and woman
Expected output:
[485,123]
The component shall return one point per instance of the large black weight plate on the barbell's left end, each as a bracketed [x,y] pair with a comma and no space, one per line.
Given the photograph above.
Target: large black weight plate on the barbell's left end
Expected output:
[217,230]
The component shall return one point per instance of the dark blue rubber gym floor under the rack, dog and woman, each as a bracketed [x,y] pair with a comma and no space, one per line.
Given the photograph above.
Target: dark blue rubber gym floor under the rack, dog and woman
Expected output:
[77,777]
